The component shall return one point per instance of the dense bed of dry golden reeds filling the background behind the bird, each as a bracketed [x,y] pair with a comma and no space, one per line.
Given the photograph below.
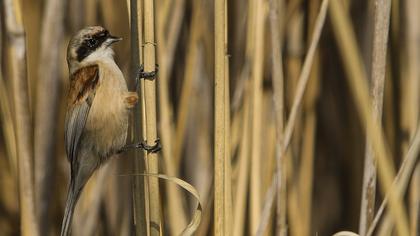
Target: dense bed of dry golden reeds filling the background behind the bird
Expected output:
[310,128]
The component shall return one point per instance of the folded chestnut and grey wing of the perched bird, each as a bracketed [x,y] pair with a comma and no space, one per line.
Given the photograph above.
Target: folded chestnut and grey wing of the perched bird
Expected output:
[83,84]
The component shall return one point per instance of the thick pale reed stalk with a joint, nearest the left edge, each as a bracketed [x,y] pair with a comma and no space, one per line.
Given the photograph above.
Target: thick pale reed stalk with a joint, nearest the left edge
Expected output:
[22,115]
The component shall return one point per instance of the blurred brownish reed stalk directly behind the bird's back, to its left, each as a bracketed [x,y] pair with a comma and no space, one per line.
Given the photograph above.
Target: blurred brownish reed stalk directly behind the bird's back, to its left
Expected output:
[47,103]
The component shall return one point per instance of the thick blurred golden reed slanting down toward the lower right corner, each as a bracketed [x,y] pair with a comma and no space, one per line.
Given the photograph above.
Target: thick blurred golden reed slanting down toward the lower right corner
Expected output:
[358,83]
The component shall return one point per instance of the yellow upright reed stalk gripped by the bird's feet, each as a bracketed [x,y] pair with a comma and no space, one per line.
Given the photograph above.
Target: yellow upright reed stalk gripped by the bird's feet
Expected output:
[151,125]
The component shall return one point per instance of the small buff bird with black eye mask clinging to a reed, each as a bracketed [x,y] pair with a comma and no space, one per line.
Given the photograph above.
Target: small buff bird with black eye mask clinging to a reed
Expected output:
[98,106]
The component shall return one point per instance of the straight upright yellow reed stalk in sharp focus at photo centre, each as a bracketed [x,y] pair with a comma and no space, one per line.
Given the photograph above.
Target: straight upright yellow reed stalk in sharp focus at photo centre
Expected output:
[222,209]
